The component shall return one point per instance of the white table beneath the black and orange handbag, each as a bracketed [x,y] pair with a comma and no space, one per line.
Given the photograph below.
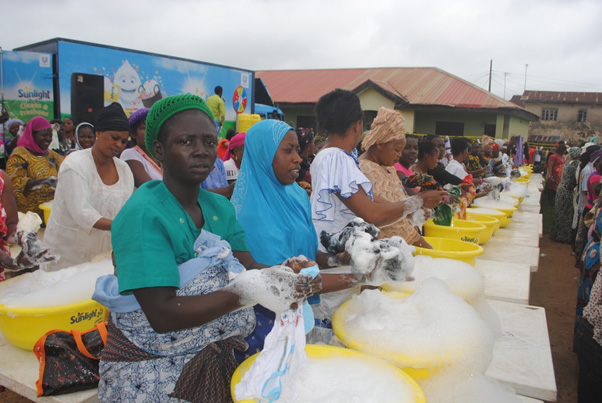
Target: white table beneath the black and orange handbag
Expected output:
[19,371]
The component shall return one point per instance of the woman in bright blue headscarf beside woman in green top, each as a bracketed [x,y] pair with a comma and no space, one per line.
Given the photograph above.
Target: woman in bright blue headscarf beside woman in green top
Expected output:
[275,211]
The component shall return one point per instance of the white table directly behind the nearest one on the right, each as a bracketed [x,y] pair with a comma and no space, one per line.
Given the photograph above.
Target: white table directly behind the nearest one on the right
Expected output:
[508,282]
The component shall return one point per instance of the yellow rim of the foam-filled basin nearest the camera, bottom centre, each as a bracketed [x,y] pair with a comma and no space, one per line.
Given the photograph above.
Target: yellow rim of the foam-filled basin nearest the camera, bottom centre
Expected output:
[325,352]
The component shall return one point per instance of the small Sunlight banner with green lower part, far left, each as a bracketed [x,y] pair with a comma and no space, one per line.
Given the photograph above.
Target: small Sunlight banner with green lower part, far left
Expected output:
[28,85]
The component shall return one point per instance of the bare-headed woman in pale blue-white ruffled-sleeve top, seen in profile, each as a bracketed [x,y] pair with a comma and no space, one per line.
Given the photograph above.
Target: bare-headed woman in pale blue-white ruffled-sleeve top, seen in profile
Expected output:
[341,192]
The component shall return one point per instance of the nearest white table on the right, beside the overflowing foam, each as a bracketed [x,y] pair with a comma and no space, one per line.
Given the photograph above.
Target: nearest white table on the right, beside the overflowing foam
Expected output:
[522,357]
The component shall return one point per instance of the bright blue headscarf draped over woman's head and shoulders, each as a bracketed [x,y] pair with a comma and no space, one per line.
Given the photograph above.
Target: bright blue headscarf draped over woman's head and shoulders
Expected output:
[276,218]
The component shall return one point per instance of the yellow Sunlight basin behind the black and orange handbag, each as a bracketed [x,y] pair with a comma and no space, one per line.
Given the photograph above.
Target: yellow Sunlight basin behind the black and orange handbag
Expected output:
[24,326]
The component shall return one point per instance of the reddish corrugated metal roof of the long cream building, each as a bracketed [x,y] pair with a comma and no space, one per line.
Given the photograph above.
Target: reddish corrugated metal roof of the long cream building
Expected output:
[416,85]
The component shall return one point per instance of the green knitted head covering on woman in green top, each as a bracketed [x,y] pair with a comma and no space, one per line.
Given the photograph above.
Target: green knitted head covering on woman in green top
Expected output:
[166,108]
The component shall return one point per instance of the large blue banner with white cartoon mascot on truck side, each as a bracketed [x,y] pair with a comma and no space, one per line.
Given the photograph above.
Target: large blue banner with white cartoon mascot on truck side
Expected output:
[137,80]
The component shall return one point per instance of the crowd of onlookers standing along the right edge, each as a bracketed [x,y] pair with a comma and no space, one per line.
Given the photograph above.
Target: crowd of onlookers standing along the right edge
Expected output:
[572,185]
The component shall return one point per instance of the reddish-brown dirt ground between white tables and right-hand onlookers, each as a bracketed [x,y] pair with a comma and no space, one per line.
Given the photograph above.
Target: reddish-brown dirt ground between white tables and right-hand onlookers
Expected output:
[553,286]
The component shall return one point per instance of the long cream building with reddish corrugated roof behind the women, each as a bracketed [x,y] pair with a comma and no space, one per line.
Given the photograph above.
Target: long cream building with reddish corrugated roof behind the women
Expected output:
[431,100]
